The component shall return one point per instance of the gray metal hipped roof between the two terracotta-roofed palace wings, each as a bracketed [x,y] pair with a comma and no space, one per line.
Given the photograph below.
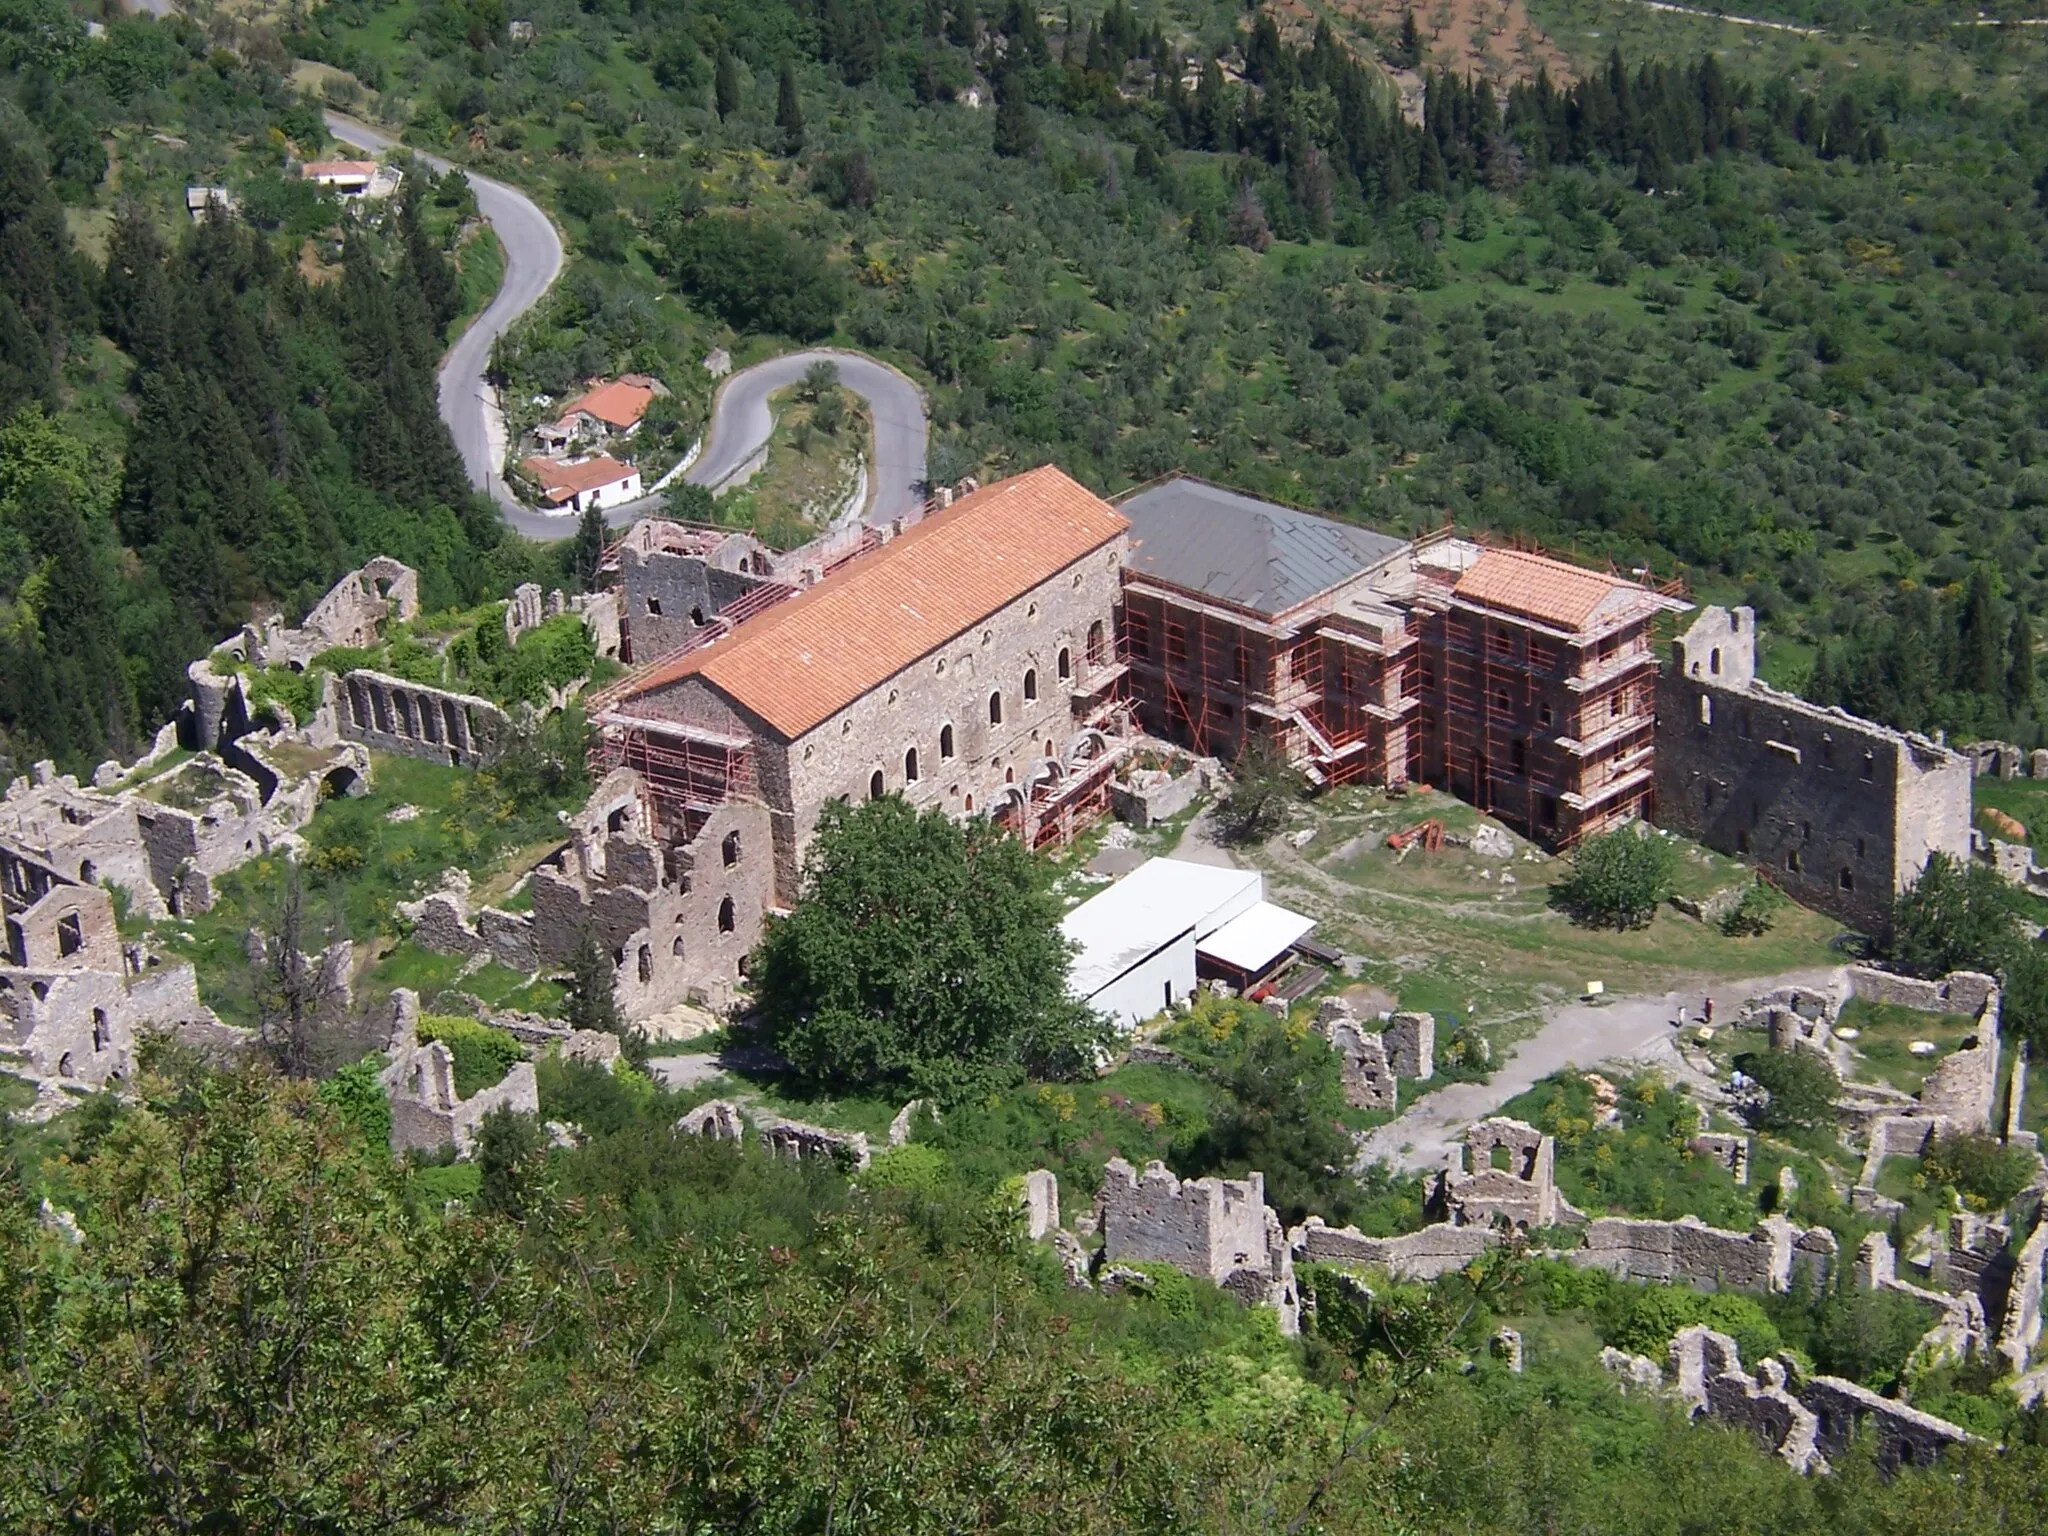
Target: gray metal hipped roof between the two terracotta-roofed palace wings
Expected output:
[1242,550]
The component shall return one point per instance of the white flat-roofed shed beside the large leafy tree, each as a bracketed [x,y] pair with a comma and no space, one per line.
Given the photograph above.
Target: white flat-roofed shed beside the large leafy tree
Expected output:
[1144,941]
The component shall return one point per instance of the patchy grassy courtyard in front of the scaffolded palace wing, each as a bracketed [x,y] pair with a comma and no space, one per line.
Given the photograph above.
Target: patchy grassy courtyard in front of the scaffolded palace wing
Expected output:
[1443,933]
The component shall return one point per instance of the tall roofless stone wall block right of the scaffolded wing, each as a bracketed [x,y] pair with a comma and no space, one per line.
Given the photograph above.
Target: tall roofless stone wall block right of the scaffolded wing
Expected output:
[1838,810]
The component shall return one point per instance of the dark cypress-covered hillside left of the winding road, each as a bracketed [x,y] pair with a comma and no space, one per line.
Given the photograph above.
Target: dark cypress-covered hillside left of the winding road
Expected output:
[200,419]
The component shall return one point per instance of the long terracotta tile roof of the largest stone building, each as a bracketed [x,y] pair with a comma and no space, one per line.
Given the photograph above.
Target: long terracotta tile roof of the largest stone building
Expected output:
[806,660]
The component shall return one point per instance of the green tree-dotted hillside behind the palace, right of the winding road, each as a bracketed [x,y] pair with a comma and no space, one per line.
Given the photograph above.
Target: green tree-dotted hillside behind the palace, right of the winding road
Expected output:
[1773,325]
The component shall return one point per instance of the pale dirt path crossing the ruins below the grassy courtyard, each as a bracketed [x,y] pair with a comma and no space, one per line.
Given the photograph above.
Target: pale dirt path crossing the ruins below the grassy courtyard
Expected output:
[1637,1031]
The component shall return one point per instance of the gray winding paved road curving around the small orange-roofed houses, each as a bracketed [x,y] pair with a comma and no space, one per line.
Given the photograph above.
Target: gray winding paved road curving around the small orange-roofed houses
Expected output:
[740,417]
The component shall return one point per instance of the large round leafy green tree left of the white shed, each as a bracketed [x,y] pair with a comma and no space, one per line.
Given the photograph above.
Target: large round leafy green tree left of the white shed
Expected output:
[923,955]
